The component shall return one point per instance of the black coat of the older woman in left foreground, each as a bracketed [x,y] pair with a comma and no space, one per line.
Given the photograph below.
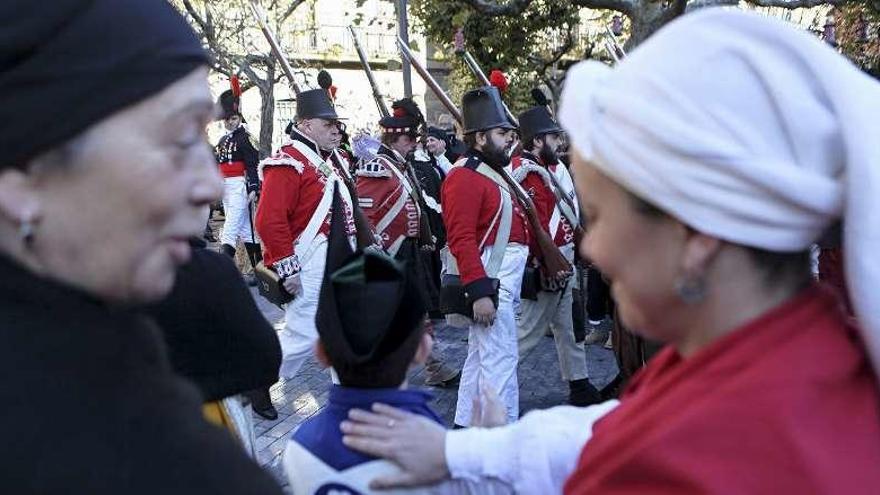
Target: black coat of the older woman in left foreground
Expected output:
[90,403]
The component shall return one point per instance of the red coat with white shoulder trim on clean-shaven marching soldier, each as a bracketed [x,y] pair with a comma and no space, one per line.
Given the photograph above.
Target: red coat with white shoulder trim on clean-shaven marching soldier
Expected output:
[292,188]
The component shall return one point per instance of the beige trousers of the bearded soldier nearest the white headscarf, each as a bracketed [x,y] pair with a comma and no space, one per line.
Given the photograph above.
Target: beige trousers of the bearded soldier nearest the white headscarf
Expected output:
[553,309]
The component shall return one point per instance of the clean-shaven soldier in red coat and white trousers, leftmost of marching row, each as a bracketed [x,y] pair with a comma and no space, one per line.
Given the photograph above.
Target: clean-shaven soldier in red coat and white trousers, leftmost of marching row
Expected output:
[293,218]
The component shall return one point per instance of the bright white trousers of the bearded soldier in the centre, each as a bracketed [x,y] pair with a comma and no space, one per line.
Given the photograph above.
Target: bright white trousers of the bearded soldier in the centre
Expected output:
[492,351]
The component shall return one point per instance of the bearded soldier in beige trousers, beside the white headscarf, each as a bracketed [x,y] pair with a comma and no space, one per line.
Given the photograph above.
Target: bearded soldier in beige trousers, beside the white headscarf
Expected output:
[549,184]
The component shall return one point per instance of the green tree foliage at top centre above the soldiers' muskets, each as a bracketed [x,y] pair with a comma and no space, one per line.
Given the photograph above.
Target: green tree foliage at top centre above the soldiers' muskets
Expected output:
[523,46]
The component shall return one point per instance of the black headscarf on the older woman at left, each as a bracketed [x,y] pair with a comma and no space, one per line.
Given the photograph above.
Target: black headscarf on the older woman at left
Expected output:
[67,64]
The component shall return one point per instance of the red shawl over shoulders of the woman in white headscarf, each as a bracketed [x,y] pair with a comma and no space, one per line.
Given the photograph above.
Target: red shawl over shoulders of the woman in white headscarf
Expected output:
[786,404]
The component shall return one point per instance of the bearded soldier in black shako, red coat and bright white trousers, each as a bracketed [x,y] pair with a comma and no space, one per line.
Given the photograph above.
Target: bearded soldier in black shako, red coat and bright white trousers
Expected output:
[482,218]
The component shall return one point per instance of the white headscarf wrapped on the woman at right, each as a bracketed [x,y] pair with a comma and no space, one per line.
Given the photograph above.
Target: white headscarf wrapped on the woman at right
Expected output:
[745,129]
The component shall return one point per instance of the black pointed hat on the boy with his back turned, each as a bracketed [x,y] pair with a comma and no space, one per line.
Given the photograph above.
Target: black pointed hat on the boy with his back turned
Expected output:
[370,312]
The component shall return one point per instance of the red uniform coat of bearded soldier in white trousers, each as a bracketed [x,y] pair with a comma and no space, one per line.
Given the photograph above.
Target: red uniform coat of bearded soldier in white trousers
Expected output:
[470,202]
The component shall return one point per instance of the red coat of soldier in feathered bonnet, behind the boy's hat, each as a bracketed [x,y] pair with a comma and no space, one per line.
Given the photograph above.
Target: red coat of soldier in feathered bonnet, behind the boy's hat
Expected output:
[379,189]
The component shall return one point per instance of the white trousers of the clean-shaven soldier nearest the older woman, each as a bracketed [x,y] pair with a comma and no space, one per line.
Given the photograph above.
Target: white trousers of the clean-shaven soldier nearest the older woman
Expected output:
[299,334]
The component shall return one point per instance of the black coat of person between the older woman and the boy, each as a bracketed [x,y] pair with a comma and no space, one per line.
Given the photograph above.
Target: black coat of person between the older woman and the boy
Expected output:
[216,335]
